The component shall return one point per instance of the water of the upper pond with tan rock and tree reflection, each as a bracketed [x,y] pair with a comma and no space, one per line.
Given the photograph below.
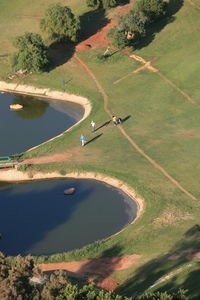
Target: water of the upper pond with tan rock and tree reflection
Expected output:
[37,122]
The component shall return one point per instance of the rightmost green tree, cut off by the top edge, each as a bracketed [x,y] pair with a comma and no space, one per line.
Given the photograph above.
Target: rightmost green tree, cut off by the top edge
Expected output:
[153,9]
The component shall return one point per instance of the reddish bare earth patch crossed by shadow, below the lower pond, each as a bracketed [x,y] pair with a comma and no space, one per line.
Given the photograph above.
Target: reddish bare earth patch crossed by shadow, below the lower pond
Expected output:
[98,270]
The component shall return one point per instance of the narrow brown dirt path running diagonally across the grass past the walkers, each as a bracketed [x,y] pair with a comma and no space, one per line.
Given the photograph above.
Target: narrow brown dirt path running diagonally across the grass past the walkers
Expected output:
[132,142]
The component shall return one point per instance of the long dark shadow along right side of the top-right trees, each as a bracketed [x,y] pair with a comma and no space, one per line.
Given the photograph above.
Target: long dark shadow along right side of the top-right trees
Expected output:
[172,7]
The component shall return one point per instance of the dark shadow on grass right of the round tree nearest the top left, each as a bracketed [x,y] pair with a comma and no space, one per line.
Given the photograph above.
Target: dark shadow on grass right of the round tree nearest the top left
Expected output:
[91,22]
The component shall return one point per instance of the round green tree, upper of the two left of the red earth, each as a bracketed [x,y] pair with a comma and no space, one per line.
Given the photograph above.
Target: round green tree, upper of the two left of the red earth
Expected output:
[60,23]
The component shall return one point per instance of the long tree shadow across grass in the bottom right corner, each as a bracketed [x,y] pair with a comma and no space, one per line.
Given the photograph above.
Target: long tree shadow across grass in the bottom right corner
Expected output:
[147,275]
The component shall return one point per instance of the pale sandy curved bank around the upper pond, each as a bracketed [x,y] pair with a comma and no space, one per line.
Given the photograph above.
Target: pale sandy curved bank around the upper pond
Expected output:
[48,94]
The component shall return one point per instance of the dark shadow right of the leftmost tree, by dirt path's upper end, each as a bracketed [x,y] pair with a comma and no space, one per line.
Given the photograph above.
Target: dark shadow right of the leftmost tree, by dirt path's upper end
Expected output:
[59,54]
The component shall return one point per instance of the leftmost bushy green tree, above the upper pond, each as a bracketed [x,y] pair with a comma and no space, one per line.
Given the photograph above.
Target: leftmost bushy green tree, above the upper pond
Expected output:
[32,53]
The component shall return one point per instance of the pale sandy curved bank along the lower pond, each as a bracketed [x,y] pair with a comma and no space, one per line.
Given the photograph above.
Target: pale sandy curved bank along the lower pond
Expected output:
[18,176]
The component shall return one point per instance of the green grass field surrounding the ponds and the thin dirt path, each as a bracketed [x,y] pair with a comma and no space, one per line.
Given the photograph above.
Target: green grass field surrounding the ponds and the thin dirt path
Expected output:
[161,120]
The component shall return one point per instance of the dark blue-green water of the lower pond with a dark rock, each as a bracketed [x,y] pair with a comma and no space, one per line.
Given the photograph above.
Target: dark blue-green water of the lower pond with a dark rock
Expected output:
[37,218]
